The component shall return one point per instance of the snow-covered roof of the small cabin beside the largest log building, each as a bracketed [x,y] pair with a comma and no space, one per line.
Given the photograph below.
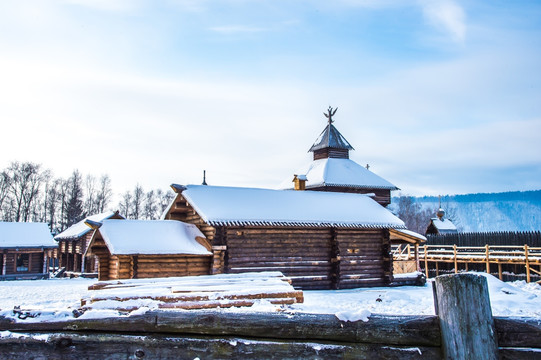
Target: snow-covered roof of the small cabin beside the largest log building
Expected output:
[130,237]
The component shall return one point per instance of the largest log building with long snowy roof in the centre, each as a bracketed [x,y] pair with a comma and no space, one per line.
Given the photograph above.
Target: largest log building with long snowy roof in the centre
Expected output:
[321,240]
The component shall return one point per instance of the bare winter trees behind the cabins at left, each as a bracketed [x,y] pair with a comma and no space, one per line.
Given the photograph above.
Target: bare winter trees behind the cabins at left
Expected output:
[28,192]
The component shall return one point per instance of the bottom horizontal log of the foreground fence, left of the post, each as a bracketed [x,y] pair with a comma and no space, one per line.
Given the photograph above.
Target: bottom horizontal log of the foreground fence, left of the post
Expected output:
[70,346]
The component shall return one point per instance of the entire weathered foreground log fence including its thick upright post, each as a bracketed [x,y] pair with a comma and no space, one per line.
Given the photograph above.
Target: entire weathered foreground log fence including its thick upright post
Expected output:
[232,335]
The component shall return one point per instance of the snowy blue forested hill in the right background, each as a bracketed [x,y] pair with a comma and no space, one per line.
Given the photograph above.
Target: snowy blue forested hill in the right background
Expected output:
[508,211]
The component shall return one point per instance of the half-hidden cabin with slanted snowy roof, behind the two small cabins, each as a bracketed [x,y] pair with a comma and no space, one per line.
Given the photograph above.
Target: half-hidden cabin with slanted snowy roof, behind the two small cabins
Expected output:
[73,243]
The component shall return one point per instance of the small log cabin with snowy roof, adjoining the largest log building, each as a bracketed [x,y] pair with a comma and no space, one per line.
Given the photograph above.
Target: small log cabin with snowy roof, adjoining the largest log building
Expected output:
[134,249]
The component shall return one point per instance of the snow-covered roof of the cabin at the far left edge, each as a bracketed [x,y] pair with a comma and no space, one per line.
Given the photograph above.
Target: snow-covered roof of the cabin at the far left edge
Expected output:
[25,235]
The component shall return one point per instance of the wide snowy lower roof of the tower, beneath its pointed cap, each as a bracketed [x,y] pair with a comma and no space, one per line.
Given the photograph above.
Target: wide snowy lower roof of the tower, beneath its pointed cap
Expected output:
[339,172]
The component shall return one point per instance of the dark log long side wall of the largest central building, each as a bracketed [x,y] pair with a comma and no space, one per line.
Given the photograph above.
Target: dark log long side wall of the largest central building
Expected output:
[314,258]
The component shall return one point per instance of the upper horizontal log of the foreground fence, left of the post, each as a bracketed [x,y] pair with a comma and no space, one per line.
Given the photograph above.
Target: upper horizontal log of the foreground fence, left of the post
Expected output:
[390,330]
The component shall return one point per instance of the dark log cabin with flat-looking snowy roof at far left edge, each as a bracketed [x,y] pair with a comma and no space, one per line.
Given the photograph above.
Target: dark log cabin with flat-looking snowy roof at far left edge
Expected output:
[27,249]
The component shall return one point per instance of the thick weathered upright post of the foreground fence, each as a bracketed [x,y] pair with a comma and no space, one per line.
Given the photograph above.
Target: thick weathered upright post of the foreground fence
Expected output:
[467,327]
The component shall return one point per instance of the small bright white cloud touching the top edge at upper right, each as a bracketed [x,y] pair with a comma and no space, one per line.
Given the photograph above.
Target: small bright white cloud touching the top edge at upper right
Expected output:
[447,16]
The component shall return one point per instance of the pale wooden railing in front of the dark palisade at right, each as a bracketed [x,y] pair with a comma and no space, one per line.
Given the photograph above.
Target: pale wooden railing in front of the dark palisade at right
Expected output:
[525,255]
